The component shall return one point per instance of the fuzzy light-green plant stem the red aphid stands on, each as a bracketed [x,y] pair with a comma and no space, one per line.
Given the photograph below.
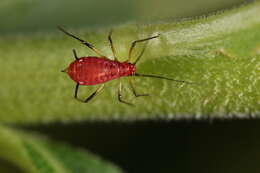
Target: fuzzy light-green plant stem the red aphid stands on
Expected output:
[220,53]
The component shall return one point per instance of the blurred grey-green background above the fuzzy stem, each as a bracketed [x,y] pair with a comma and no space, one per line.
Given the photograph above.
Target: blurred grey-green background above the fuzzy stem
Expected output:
[34,15]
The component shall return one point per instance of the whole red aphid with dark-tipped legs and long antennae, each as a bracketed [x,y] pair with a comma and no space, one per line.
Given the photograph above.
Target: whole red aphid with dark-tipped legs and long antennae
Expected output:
[94,70]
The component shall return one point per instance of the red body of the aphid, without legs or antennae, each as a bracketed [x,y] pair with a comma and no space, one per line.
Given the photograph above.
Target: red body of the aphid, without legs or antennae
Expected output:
[95,70]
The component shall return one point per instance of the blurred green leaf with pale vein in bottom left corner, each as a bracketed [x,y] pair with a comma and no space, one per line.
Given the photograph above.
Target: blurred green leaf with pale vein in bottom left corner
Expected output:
[32,153]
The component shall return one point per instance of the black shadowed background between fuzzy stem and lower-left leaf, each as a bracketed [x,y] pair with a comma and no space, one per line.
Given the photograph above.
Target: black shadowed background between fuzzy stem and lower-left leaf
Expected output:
[184,146]
